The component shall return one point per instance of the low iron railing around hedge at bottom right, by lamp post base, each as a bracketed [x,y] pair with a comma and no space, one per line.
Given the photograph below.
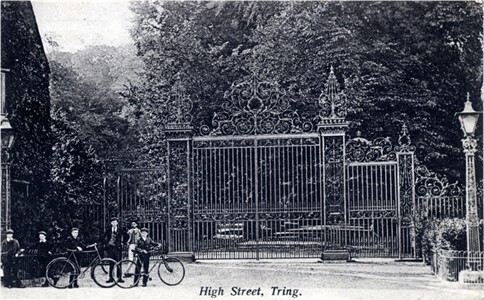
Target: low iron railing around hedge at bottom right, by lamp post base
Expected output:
[447,264]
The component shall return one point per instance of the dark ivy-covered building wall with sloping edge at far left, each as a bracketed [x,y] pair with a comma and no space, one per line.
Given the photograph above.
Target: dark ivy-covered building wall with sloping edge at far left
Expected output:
[28,109]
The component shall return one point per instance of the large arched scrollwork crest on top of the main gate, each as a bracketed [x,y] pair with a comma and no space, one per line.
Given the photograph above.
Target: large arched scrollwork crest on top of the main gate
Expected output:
[254,106]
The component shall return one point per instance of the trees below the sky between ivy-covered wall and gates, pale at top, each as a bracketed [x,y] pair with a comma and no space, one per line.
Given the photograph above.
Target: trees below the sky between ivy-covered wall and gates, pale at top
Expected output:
[91,127]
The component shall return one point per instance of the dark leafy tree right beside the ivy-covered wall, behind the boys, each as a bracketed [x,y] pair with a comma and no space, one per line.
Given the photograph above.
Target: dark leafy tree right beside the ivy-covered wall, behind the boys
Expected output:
[76,176]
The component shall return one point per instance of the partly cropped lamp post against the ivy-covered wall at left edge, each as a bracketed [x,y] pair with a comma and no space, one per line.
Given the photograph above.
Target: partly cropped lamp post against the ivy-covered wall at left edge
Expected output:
[6,139]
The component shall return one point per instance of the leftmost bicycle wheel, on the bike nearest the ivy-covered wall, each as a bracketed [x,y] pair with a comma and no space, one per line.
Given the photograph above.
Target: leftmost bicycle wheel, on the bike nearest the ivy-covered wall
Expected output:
[60,272]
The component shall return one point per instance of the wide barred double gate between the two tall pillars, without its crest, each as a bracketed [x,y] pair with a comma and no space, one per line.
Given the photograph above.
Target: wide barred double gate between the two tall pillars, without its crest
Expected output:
[257,197]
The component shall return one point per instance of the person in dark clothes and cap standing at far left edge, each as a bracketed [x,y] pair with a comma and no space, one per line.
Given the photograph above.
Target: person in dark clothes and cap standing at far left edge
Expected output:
[10,247]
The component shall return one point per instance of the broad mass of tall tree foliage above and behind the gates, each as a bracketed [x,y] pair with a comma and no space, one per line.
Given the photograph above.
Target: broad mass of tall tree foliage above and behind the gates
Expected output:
[399,62]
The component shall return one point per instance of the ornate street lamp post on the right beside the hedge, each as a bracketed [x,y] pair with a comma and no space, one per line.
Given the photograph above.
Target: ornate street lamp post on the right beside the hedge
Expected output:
[468,119]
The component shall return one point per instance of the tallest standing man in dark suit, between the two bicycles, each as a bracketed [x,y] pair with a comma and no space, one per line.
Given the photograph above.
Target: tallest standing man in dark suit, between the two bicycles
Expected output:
[113,242]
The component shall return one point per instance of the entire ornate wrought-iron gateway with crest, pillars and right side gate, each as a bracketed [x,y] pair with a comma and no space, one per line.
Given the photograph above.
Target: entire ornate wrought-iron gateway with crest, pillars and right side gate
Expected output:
[266,182]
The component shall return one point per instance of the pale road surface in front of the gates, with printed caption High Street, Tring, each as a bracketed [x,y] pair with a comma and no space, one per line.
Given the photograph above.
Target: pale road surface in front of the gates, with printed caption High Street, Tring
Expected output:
[279,279]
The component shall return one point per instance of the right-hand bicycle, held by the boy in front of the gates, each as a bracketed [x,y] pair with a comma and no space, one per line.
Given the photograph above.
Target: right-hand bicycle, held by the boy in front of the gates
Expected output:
[170,270]
